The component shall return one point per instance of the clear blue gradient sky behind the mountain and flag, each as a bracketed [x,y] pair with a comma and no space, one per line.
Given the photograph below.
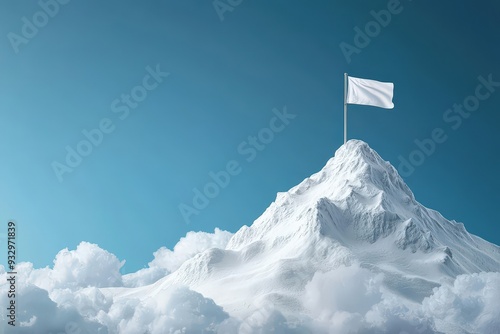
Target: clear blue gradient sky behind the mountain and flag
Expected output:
[225,78]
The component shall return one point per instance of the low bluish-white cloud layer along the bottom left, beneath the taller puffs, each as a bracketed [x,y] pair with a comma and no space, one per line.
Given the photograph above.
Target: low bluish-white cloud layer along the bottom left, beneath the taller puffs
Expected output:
[88,311]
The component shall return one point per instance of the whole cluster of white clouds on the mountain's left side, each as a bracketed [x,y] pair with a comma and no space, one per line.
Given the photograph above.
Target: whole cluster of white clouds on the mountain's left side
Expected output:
[68,298]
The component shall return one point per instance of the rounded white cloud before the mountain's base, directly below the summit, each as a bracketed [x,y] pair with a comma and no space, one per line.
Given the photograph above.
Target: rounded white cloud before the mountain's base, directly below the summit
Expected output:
[353,300]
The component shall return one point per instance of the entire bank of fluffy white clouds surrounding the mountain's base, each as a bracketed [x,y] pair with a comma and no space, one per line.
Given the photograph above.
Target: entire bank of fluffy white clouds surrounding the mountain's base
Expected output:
[72,298]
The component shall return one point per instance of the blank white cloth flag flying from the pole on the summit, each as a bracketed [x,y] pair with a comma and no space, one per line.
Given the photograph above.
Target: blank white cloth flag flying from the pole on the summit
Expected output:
[370,92]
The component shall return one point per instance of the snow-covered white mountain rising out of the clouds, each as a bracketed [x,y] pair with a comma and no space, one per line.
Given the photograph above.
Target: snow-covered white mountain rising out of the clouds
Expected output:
[355,211]
